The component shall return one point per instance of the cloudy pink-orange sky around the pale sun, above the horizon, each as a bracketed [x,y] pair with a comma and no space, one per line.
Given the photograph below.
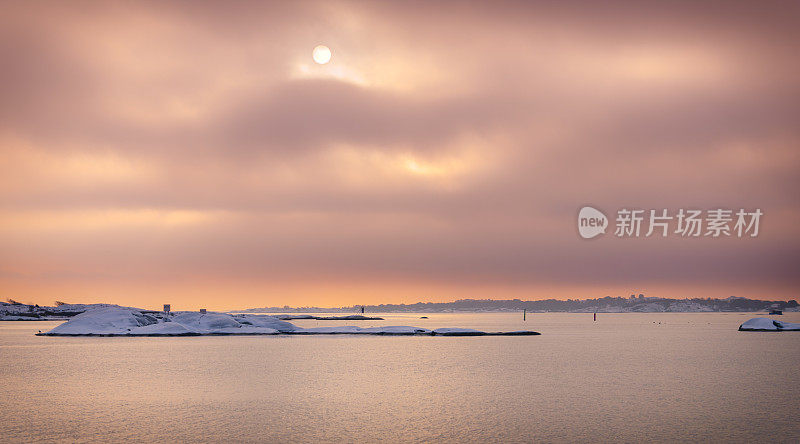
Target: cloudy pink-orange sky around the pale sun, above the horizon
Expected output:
[193,152]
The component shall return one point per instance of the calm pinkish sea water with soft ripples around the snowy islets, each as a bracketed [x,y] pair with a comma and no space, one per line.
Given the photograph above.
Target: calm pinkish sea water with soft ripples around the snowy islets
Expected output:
[627,377]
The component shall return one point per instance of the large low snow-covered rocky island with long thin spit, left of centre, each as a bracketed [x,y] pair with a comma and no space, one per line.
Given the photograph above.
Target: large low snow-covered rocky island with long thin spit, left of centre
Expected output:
[122,321]
